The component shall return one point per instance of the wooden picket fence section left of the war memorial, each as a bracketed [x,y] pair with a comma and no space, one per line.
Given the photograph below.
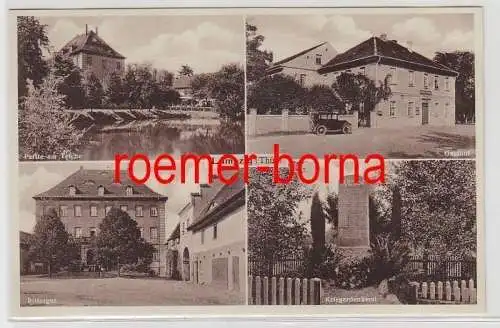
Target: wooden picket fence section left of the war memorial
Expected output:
[283,291]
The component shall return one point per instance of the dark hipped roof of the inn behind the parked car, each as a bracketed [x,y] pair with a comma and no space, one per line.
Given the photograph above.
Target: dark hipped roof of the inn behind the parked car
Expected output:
[383,51]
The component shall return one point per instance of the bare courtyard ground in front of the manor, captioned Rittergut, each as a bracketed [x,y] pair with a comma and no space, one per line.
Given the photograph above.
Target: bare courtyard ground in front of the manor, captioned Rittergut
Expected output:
[121,291]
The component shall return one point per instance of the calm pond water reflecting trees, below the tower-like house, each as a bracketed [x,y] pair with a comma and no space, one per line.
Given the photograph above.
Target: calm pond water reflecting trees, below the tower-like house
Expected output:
[156,136]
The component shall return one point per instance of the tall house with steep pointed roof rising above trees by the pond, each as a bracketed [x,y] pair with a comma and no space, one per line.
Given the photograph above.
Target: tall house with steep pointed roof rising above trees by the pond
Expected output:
[92,54]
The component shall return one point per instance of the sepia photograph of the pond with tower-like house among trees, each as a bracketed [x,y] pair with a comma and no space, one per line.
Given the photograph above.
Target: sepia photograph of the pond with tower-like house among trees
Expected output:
[93,86]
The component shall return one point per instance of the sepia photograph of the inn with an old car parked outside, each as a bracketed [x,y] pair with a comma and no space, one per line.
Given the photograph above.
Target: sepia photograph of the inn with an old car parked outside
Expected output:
[402,85]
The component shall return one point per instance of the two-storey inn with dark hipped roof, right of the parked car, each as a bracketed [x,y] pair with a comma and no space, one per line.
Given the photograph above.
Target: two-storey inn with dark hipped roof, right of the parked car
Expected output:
[422,91]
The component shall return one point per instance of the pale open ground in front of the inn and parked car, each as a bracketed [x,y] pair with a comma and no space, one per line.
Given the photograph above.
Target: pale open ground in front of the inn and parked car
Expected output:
[409,142]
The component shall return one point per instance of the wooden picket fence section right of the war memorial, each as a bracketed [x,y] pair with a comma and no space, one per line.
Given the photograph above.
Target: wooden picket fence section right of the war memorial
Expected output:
[445,293]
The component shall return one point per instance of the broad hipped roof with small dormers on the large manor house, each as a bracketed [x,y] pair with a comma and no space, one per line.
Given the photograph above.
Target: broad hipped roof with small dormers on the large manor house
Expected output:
[87,183]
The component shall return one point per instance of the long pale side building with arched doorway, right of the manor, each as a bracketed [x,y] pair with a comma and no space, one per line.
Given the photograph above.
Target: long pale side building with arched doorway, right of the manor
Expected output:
[208,245]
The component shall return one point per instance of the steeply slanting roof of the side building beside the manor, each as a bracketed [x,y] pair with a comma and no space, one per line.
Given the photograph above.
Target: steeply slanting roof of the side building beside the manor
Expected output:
[225,200]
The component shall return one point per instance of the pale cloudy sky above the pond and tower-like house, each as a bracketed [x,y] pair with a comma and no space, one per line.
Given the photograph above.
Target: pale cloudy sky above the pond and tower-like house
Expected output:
[203,42]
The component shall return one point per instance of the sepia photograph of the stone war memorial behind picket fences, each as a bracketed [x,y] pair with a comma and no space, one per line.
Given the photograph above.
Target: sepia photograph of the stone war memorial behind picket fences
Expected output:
[409,240]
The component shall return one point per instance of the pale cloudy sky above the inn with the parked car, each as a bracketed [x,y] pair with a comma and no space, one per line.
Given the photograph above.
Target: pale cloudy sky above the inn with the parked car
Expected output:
[287,35]
